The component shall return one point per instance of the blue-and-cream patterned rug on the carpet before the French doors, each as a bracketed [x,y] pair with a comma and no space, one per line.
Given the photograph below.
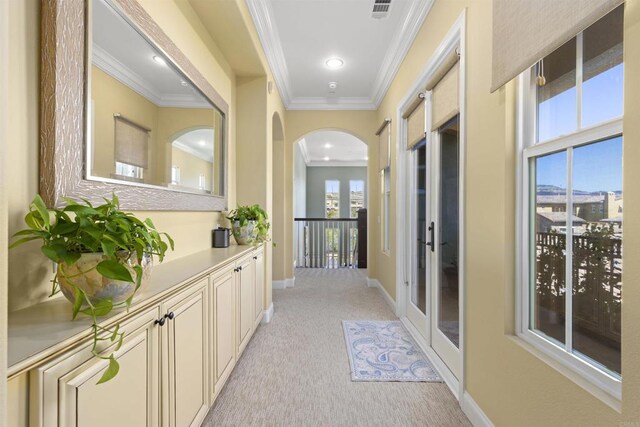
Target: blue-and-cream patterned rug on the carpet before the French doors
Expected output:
[384,351]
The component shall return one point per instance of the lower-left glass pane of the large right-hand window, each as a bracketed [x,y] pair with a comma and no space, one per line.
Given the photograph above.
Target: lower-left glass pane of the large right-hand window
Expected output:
[549,226]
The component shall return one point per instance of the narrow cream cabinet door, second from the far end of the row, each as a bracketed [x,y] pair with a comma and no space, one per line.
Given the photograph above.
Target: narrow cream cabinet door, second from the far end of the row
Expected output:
[246,284]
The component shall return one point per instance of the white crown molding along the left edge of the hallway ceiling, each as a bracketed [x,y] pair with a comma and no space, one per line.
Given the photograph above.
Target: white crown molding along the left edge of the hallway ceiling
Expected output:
[262,16]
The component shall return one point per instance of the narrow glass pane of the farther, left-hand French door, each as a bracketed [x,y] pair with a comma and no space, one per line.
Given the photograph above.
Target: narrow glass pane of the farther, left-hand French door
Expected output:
[419,285]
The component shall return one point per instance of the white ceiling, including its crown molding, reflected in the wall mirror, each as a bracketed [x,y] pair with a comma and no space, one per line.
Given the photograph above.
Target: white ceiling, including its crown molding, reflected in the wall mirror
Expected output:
[125,55]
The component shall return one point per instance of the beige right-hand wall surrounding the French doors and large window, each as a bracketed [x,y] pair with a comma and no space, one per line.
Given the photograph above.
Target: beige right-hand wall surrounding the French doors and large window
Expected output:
[512,385]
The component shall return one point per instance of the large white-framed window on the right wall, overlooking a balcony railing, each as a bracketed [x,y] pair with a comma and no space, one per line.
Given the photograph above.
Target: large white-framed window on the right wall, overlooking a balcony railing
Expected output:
[571,265]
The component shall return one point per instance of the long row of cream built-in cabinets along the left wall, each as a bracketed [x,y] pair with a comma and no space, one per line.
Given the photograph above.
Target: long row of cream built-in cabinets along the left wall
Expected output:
[178,352]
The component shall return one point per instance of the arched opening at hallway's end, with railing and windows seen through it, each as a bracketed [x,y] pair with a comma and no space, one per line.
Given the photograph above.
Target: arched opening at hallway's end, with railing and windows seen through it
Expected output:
[330,187]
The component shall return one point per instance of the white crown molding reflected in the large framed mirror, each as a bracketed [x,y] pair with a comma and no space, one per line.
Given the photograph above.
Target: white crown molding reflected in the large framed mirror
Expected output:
[125,75]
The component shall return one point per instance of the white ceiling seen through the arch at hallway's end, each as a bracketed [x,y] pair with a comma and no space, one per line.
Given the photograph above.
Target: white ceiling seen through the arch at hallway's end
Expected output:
[333,148]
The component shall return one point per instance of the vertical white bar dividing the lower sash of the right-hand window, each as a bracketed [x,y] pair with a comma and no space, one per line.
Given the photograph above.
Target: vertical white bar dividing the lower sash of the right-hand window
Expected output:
[568,295]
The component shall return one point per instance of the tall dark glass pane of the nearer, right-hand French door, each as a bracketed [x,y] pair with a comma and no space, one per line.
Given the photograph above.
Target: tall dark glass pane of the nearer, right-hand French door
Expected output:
[448,268]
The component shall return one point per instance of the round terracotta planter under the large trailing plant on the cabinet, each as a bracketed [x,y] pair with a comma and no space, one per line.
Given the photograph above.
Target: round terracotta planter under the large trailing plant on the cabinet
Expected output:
[84,275]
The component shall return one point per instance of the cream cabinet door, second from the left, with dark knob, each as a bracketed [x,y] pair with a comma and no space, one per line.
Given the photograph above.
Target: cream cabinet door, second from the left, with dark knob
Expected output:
[185,356]
